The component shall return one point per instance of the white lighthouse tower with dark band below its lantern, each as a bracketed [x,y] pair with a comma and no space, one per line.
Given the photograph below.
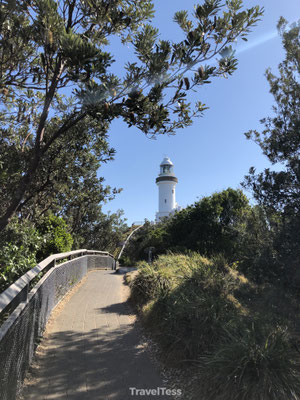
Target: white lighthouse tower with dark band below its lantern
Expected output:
[166,182]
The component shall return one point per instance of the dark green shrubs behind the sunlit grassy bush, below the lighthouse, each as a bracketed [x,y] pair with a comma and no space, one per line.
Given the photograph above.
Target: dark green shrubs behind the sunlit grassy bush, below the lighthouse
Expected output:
[223,223]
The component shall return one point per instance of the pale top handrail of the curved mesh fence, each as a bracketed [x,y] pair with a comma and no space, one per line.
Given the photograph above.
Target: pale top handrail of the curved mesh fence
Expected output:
[23,282]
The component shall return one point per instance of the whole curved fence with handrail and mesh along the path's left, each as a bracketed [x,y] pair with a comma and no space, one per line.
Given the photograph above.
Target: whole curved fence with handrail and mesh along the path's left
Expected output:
[25,308]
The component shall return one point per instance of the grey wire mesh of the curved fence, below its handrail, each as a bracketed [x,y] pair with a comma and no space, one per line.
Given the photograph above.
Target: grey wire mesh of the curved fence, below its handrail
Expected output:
[23,329]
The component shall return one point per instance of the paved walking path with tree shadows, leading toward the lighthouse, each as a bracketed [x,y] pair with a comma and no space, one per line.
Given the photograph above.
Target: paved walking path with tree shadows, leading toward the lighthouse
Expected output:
[91,349]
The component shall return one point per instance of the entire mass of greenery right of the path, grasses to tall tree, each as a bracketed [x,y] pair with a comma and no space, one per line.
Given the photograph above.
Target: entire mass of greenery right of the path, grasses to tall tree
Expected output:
[231,314]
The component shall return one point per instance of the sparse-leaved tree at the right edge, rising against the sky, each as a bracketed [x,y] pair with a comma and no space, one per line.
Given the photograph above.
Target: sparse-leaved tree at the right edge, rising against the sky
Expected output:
[279,192]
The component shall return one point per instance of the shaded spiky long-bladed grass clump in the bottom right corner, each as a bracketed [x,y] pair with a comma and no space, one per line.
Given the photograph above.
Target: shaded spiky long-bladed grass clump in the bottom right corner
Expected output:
[256,363]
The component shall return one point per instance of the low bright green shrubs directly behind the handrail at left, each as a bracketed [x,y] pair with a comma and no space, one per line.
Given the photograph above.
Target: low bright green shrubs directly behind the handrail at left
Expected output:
[23,243]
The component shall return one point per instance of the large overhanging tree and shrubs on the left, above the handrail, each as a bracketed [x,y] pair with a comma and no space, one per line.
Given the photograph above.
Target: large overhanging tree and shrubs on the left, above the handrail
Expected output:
[58,97]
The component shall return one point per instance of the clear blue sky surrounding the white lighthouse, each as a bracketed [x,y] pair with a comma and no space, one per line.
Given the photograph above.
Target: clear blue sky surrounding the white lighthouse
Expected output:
[213,153]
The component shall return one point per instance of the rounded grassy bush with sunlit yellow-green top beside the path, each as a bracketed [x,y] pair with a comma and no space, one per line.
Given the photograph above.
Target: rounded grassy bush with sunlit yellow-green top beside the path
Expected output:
[191,304]
